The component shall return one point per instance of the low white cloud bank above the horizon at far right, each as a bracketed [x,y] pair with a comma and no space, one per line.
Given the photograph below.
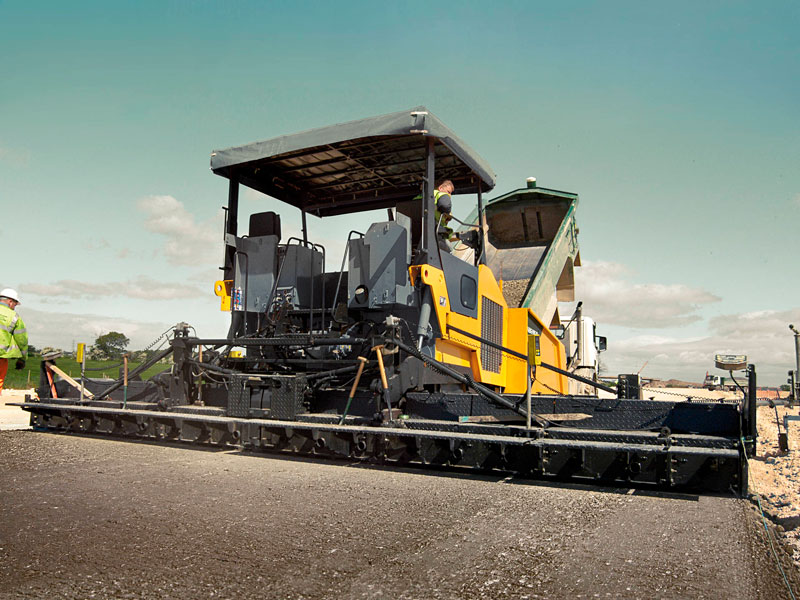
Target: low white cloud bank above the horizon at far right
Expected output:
[763,336]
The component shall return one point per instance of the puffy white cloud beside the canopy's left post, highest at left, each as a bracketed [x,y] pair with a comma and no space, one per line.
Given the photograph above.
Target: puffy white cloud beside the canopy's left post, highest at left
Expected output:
[188,242]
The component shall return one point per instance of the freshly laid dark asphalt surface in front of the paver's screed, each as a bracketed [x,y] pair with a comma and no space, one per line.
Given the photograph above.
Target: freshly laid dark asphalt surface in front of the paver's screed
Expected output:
[84,517]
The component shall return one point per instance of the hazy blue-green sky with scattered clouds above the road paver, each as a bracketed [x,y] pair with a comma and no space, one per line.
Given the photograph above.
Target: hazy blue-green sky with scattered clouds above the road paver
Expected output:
[677,123]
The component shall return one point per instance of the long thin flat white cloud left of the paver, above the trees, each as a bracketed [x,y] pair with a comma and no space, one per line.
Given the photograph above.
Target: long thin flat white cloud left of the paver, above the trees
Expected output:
[141,288]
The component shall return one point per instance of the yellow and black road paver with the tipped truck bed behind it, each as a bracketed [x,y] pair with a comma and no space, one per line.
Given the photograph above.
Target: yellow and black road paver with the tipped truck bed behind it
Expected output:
[409,353]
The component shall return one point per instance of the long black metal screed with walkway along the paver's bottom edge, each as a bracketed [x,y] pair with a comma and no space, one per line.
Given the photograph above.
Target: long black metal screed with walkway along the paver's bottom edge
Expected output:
[704,464]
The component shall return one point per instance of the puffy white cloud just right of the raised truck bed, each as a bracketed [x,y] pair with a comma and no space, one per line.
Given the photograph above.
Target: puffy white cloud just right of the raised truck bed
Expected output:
[611,298]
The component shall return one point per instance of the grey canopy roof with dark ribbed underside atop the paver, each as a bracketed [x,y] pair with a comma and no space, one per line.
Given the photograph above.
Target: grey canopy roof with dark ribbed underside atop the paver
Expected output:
[344,168]
